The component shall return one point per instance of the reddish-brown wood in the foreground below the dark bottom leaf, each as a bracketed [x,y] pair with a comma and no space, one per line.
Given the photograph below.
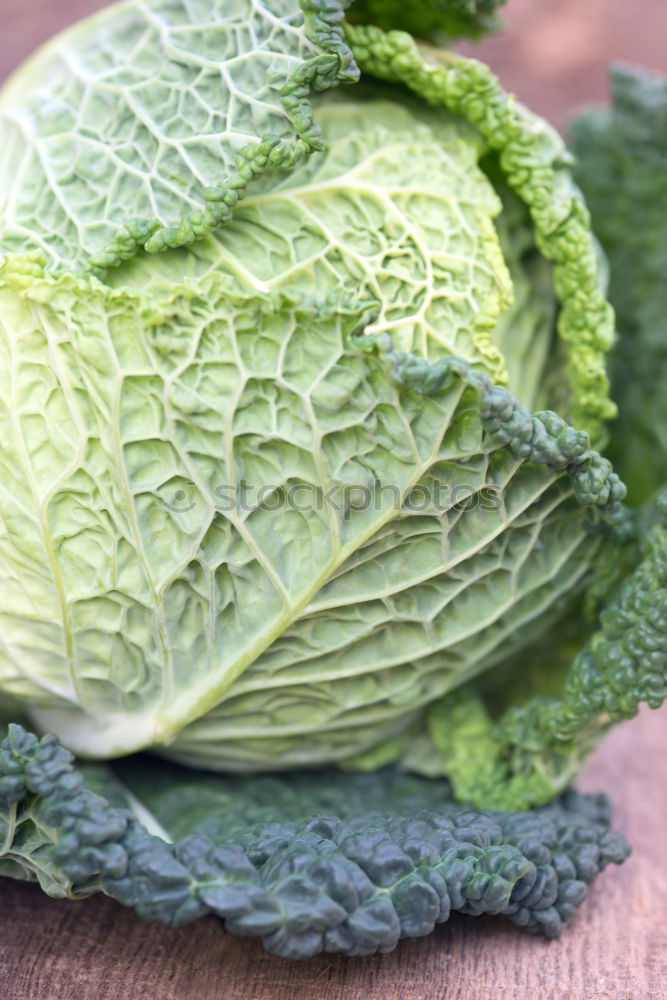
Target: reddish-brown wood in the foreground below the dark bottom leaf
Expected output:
[615,949]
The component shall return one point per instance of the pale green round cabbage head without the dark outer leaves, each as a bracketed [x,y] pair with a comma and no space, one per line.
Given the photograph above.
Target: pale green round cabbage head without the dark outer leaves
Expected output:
[287,305]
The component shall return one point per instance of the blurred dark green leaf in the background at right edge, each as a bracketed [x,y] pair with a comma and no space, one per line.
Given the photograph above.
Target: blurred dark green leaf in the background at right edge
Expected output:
[621,166]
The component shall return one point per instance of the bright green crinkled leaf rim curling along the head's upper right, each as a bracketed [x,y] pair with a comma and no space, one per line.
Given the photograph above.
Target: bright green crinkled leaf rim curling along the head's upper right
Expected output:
[536,166]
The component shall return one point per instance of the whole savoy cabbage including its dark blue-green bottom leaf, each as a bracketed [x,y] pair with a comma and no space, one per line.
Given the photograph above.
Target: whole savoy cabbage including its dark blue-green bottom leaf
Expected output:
[303,391]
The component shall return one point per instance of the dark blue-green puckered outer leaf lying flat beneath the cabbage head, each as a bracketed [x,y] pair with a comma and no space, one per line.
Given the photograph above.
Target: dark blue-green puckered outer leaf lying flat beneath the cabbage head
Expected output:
[350,865]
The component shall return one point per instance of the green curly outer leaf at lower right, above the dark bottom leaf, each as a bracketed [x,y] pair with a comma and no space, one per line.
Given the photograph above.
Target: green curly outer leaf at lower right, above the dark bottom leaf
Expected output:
[535,748]
